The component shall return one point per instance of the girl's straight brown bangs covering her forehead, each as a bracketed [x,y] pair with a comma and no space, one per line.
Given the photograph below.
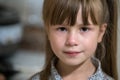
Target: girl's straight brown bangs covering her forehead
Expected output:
[61,11]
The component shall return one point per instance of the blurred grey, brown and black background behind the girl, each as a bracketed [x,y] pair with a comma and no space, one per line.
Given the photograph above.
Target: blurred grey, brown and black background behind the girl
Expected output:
[22,39]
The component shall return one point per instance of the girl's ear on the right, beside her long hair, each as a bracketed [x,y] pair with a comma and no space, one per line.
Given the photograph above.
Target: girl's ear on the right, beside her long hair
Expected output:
[102,32]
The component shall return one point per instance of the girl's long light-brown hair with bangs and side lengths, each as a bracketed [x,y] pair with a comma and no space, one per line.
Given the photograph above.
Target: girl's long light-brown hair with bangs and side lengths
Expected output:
[100,11]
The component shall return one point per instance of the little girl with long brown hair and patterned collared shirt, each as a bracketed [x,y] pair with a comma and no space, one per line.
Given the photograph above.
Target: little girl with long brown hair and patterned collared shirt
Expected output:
[80,34]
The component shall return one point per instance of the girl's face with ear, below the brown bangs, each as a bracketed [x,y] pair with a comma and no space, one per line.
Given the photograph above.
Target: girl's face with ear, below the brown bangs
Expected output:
[76,44]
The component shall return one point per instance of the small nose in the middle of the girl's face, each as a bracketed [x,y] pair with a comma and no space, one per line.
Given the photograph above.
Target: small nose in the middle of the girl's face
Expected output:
[72,39]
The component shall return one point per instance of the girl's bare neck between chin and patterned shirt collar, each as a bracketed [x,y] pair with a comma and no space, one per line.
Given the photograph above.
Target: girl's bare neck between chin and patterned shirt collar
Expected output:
[82,71]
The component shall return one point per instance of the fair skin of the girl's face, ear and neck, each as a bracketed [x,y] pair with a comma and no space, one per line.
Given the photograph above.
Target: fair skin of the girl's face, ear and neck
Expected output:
[74,46]
